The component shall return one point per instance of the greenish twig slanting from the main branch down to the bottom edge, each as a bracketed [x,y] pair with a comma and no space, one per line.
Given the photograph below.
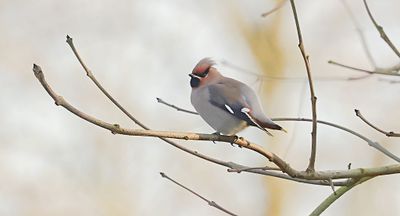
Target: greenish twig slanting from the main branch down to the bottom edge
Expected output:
[337,194]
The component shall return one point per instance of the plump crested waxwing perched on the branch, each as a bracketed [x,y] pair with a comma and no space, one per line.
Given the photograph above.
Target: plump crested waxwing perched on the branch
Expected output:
[226,104]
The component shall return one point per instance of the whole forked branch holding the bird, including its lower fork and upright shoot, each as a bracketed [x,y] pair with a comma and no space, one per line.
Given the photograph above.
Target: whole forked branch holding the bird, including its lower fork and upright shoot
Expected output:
[282,170]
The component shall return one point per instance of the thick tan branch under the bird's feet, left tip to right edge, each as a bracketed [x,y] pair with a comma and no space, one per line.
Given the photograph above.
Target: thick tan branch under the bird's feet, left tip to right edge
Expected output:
[285,167]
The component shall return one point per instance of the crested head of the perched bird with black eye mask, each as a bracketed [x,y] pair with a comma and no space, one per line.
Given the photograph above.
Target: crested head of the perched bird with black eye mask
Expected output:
[203,73]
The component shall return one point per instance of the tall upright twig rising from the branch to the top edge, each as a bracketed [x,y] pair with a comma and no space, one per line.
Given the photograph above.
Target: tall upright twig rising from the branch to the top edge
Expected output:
[311,165]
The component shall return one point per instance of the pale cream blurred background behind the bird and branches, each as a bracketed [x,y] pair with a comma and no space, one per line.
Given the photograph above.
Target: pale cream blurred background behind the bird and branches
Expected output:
[53,163]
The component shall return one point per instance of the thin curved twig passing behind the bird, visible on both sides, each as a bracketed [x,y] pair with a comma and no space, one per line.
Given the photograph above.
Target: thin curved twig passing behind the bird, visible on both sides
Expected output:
[371,143]
